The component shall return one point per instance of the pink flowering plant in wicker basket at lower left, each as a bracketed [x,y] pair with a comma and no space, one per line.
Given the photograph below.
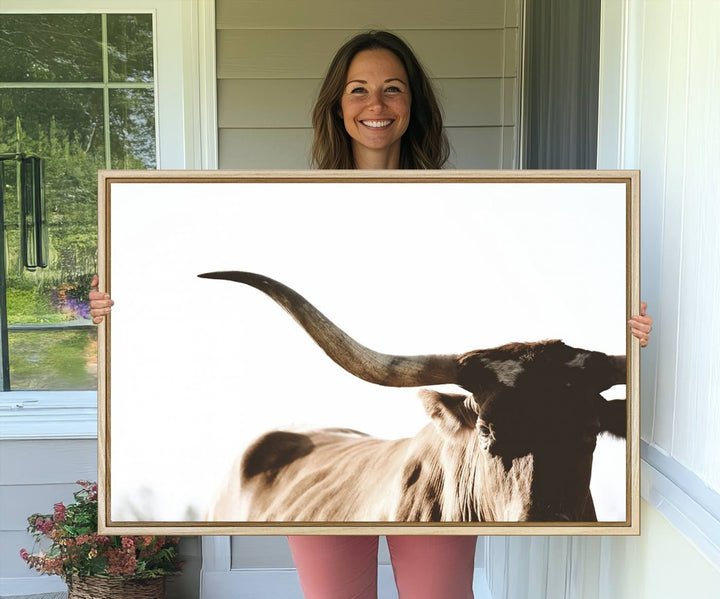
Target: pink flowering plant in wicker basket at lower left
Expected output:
[97,566]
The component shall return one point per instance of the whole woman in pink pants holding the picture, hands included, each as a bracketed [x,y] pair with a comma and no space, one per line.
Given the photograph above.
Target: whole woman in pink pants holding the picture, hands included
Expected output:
[376,110]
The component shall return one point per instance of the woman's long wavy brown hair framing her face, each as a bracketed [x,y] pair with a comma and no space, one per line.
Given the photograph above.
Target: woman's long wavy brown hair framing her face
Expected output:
[424,144]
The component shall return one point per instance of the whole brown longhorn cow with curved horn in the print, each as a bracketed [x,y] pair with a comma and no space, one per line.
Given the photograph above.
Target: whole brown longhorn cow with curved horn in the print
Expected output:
[518,446]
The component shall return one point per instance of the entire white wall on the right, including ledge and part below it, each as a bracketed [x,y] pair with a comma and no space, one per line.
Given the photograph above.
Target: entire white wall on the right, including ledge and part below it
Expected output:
[660,86]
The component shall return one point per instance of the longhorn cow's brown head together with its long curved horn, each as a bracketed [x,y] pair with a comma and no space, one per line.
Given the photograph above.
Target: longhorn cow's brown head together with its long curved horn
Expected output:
[530,422]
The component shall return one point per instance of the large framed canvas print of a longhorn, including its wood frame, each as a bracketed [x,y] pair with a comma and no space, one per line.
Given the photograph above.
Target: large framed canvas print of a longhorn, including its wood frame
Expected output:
[375,353]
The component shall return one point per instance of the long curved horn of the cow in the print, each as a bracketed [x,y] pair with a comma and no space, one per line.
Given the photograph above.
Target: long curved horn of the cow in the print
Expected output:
[374,367]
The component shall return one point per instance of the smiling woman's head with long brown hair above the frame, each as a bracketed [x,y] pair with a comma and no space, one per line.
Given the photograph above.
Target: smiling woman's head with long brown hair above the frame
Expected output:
[377,109]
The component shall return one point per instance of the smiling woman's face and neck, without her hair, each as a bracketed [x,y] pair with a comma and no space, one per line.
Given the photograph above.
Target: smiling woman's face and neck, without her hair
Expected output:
[375,104]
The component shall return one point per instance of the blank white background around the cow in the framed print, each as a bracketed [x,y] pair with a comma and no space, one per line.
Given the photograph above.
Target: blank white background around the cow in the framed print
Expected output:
[201,367]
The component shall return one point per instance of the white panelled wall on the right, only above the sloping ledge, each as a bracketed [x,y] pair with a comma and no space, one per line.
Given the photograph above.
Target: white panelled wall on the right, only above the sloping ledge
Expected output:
[673,135]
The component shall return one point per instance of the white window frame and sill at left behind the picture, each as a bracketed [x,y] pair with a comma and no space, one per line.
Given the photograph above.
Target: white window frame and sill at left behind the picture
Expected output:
[184,37]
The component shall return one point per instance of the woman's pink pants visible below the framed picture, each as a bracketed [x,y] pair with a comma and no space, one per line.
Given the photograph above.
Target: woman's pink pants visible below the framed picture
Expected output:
[344,567]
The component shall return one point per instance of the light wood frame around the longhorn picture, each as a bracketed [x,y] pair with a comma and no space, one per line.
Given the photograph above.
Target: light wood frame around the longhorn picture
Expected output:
[108,180]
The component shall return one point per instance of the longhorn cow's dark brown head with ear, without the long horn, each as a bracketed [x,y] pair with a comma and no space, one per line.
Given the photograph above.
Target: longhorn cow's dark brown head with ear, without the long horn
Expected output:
[534,414]
